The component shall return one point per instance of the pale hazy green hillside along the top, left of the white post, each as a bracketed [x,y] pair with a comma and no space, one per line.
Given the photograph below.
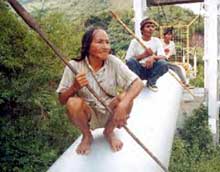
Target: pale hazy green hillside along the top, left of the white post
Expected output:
[75,9]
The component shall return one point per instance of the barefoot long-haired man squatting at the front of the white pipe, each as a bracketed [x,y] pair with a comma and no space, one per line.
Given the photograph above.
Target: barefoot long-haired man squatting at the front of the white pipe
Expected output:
[104,73]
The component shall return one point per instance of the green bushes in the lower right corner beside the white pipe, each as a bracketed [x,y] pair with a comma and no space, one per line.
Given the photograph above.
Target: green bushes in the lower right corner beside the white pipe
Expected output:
[193,150]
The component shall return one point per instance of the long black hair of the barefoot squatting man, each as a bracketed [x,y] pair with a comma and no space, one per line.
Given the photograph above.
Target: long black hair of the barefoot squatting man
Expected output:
[86,42]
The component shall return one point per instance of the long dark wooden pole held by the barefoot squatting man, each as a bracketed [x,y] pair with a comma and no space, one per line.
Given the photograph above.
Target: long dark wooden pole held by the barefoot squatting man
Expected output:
[33,24]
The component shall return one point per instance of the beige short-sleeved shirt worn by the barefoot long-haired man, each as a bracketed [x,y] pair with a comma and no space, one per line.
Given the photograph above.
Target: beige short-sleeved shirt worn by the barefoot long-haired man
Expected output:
[112,75]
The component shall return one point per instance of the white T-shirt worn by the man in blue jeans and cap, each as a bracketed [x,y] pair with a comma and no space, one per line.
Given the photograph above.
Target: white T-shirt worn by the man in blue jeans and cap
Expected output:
[135,48]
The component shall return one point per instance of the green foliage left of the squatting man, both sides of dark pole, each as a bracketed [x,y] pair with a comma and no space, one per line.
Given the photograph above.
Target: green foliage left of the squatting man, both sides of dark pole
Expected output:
[34,129]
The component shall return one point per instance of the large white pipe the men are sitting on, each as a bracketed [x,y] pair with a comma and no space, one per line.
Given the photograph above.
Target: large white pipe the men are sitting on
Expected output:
[153,120]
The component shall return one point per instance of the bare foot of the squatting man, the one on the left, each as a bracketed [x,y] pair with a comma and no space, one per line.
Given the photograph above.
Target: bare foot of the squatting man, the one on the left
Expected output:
[85,145]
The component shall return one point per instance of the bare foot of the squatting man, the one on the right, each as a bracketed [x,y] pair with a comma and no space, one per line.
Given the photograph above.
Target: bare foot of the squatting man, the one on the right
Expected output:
[114,142]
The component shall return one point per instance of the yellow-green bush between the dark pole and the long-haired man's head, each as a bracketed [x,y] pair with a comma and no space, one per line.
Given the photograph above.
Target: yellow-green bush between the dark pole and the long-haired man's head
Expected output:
[66,35]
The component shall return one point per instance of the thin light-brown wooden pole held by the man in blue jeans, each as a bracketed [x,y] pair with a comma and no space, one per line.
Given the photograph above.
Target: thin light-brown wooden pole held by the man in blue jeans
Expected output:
[145,47]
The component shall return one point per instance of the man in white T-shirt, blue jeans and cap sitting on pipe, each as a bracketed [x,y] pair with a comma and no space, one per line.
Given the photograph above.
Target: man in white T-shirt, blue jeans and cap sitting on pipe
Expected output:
[149,64]
